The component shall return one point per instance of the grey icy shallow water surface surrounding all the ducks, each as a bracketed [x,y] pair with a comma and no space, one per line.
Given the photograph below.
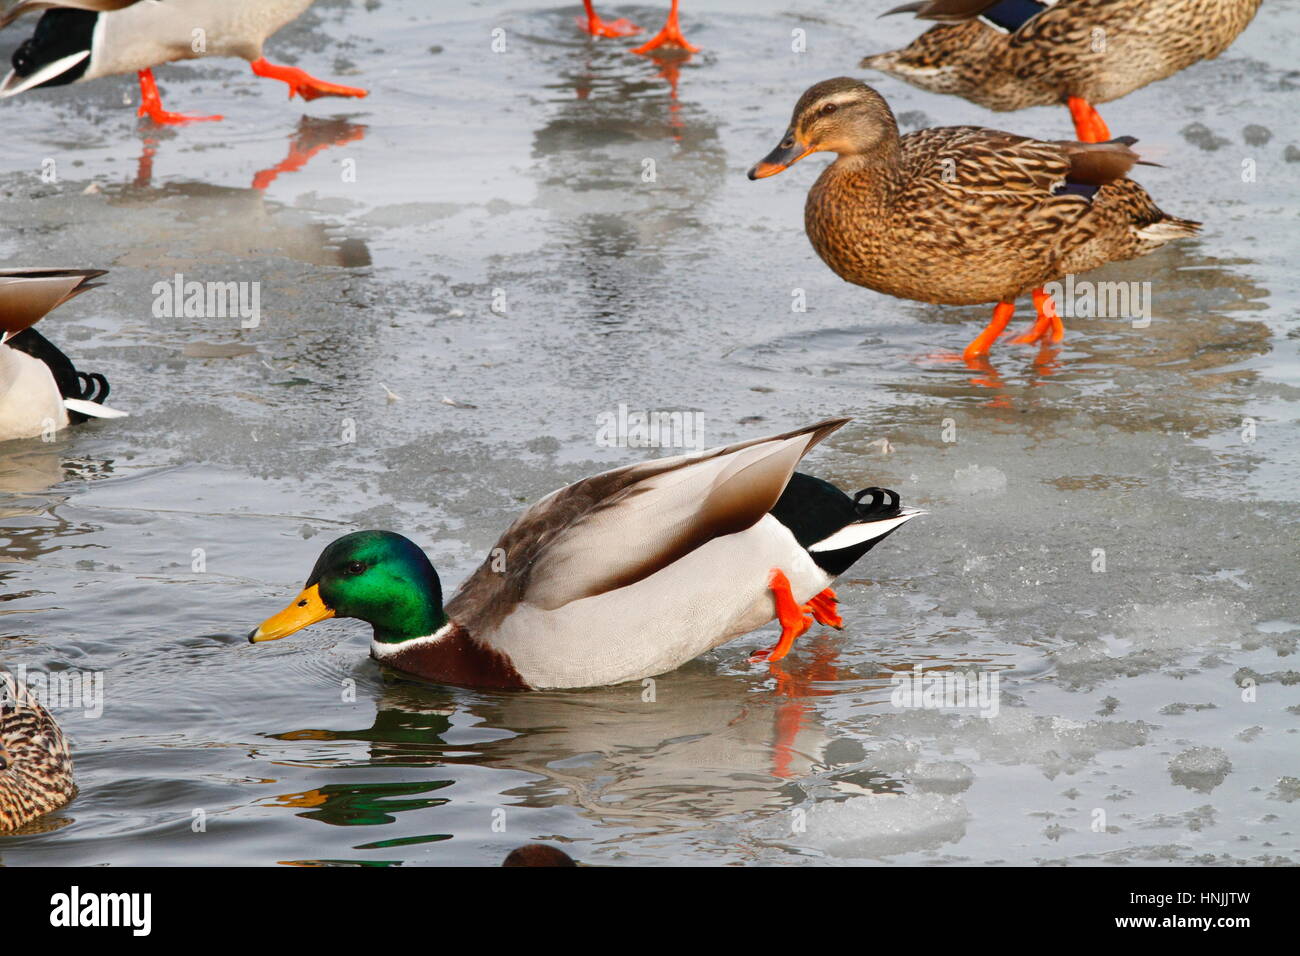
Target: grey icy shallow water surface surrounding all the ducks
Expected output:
[518,178]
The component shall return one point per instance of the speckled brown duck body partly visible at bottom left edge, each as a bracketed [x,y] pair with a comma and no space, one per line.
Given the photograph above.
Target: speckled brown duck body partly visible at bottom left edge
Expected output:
[36,767]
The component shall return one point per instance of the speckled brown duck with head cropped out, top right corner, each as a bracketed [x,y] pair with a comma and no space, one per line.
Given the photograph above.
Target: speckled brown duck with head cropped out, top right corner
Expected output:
[1015,54]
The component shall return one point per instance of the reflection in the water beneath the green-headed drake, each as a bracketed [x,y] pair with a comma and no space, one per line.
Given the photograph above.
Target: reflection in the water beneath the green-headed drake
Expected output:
[675,751]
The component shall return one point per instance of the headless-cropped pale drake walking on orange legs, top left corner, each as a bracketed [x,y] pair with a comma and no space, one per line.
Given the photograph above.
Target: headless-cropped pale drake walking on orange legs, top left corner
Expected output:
[86,40]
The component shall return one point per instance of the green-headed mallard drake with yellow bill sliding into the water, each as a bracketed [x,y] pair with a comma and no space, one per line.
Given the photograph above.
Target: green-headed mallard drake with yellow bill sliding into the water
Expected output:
[619,577]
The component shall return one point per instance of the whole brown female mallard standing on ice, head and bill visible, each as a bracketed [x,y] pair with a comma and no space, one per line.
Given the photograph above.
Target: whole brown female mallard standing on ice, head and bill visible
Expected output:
[961,215]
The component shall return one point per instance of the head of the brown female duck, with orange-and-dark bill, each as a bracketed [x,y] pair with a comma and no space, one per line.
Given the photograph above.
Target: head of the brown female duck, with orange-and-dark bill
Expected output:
[844,116]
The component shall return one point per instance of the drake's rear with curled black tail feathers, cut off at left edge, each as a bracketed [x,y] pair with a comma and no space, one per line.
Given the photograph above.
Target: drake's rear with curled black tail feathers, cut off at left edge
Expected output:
[41,391]
